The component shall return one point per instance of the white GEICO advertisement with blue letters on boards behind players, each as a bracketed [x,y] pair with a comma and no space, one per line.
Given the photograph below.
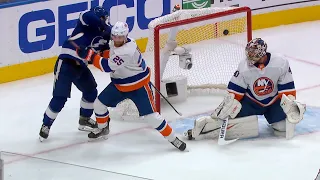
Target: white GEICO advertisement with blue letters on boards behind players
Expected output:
[38,30]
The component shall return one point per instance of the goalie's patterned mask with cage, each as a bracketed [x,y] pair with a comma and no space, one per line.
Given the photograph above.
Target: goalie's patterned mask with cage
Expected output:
[255,50]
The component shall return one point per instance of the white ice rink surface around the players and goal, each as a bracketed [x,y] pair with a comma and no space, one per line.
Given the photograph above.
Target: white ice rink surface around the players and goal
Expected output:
[142,153]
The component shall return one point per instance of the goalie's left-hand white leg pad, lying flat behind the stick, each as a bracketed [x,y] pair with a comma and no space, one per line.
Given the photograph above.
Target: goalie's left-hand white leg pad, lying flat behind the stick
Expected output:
[208,128]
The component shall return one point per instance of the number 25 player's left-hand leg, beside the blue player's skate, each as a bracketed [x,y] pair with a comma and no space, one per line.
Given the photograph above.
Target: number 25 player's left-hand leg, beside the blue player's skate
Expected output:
[109,97]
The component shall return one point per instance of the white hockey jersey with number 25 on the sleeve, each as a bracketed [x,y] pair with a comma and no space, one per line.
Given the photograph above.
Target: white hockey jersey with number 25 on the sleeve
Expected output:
[128,70]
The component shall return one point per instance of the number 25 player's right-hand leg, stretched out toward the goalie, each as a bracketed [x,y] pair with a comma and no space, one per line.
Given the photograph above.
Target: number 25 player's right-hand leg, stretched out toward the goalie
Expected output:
[143,99]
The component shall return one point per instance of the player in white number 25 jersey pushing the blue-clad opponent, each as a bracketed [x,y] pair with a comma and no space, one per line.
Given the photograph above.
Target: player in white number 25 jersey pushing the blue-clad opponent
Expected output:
[130,79]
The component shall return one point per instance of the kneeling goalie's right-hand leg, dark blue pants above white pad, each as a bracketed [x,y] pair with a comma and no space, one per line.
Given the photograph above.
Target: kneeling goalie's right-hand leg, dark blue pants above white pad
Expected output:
[276,118]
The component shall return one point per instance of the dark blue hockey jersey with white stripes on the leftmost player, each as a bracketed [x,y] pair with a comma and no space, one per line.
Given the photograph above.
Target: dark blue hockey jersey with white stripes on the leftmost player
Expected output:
[90,31]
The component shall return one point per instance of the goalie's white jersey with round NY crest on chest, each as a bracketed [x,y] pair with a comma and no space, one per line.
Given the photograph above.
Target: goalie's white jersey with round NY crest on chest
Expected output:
[263,83]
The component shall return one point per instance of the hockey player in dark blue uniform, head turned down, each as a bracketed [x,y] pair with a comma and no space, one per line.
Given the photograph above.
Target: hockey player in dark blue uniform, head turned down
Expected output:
[92,30]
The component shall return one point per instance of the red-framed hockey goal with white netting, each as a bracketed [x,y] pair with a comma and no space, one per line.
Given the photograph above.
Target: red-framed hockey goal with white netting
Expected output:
[216,37]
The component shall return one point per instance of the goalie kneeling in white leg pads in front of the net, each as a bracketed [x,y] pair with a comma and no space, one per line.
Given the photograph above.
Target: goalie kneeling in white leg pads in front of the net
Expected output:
[262,85]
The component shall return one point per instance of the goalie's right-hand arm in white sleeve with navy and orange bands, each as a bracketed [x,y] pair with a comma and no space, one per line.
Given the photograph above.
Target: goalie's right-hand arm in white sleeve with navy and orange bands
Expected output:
[286,84]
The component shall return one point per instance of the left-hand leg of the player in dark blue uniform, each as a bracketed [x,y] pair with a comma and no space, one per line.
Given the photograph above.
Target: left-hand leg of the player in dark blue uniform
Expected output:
[63,77]
